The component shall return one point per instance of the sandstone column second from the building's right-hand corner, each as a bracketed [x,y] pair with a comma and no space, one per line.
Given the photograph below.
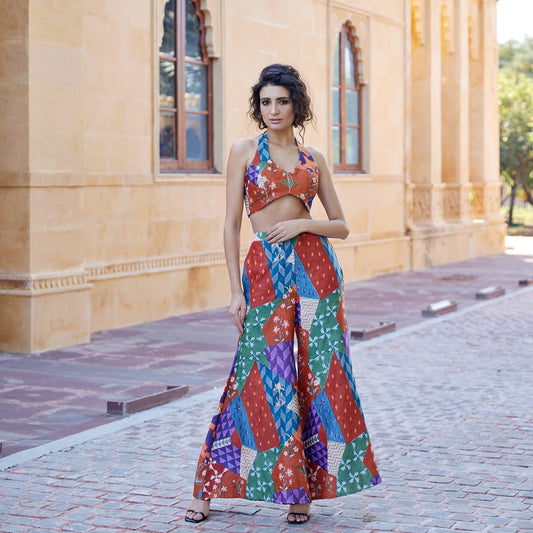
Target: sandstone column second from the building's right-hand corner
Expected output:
[455,123]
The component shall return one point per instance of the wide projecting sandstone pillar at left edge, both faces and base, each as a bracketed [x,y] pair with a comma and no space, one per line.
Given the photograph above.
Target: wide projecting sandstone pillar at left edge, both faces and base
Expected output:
[44,293]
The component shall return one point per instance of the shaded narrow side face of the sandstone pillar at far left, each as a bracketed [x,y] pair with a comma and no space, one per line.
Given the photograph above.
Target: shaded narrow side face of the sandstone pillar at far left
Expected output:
[15,313]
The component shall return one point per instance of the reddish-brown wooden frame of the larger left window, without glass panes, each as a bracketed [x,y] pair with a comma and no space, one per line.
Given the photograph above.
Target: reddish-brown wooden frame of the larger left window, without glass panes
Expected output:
[179,163]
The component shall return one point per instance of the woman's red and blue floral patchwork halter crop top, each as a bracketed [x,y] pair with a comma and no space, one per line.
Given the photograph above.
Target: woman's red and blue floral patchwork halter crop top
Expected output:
[265,182]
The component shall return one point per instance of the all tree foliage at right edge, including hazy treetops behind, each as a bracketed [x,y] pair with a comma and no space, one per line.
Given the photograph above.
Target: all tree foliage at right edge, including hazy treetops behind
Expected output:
[516,119]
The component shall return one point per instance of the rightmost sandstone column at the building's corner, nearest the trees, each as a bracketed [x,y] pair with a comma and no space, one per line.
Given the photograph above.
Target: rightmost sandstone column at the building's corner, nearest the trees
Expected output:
[483,115]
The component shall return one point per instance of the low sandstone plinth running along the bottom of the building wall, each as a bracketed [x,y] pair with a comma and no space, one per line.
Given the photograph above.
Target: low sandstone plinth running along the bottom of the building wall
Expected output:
[48,312]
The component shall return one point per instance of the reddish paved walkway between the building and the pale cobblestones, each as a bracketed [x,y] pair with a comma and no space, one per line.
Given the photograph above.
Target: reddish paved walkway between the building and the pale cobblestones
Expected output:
[53,394]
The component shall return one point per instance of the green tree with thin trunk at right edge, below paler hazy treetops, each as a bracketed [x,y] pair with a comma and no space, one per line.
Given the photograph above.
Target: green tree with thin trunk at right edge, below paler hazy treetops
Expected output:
[516,135]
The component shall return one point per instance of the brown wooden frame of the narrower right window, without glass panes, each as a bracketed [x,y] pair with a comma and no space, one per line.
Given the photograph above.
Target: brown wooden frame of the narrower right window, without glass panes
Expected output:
[345,36]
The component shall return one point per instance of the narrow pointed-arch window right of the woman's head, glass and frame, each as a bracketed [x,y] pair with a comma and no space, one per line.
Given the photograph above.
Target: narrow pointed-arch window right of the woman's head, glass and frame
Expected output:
[346,105]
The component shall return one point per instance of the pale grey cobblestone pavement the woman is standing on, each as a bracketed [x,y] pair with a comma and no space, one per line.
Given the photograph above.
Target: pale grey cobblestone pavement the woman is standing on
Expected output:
[449,406]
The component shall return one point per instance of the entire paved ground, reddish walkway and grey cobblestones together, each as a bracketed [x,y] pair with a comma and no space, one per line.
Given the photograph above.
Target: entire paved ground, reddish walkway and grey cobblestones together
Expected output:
[448,402]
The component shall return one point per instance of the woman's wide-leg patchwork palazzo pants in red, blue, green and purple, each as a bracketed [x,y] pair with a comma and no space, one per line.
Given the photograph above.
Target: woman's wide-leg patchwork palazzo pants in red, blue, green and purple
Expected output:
[290,428]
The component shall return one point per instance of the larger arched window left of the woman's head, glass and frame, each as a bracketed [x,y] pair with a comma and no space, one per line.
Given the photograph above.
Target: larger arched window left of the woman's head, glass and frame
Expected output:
[185,119]
